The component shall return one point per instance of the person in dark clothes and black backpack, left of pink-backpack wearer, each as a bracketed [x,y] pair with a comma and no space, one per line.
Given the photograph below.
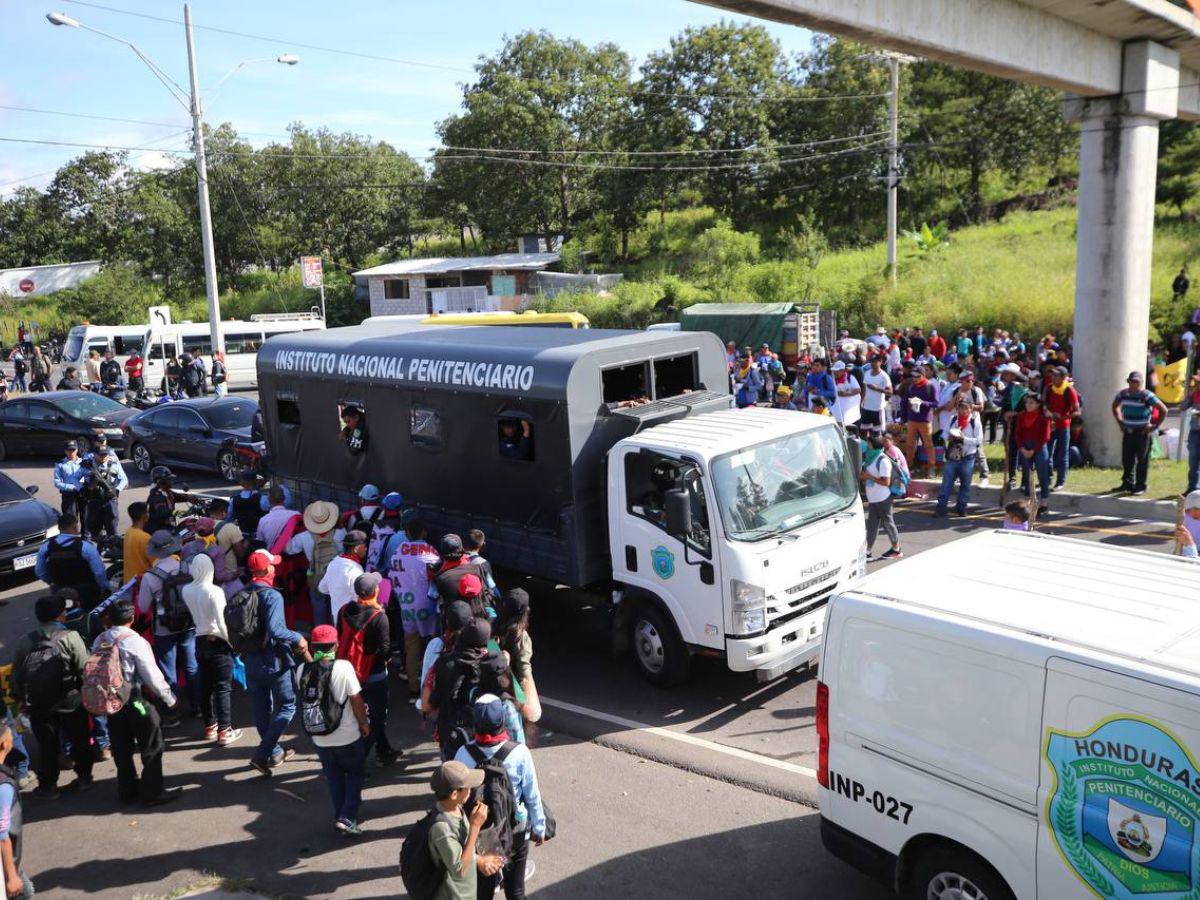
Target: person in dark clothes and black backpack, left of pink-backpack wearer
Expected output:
[47,674]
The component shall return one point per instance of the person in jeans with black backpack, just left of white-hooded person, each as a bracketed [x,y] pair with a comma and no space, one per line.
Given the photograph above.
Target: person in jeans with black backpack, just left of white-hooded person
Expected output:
[161,598]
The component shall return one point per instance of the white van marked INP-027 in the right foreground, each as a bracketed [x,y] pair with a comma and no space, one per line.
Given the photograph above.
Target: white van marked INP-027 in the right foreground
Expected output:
[1017,716]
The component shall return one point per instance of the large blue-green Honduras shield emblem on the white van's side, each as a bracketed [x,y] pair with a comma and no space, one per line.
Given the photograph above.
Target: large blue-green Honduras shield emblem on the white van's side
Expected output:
[1126,808]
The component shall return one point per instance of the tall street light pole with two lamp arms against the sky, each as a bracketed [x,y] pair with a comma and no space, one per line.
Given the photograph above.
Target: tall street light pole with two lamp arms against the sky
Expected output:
[191,101]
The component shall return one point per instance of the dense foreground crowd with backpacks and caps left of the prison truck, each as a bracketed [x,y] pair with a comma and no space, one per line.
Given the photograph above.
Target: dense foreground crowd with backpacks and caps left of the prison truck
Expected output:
[311,611]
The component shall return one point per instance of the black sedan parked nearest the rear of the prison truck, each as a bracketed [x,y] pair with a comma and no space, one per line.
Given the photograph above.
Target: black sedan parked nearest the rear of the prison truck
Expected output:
[205,434]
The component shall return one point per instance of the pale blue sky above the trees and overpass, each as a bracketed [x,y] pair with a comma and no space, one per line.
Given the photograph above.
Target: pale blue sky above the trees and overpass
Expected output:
[69,70]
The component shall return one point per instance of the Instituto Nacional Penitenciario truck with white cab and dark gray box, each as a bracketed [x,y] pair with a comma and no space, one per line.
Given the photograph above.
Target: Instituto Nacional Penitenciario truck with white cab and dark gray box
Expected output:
[593,459]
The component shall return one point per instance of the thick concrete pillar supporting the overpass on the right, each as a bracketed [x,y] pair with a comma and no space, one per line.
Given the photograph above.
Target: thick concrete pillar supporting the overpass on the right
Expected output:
[1115,236]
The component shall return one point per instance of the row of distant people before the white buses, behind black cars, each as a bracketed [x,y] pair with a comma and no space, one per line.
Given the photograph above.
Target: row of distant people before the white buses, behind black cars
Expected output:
[189,375]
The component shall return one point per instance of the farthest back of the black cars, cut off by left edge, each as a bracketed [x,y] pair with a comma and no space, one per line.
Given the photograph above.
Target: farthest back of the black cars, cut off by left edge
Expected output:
[39,424]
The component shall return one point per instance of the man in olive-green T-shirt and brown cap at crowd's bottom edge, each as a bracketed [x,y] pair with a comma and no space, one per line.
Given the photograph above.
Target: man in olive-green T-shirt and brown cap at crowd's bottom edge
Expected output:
[454,835]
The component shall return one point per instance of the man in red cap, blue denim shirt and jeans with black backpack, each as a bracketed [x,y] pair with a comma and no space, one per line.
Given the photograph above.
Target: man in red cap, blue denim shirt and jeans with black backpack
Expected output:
[269,670]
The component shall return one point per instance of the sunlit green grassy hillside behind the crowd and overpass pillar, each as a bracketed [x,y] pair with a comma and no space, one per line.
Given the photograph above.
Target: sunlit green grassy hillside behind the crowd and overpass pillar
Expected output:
[1018,274]
